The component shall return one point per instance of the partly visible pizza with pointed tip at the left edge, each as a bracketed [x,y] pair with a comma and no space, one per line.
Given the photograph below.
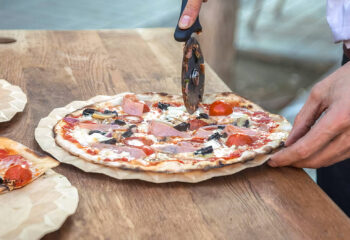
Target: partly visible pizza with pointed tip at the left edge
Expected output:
[20,165]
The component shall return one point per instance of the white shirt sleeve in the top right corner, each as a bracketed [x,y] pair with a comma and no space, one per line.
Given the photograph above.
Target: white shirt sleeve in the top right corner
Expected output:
[338,17]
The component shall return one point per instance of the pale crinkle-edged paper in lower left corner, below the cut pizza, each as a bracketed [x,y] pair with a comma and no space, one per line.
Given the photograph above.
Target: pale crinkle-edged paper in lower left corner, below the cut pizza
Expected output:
[38,208]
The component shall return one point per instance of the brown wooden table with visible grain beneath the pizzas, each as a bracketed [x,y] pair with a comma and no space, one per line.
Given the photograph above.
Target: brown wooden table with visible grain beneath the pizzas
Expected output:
[55,68]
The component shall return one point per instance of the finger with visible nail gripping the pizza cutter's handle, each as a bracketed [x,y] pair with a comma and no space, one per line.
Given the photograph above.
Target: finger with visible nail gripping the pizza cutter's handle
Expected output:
[190,13]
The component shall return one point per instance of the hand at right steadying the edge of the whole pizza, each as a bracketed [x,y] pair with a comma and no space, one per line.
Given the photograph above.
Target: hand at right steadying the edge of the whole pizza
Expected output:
[319,141]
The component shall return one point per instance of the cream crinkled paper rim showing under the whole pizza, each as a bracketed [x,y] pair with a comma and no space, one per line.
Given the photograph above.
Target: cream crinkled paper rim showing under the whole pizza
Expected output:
[44,137]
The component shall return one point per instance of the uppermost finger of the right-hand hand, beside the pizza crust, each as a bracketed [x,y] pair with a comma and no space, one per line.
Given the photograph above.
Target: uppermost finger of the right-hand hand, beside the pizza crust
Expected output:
[307,116]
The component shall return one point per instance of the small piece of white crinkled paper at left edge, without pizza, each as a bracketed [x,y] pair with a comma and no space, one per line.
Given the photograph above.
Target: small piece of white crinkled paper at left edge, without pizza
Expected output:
[12,100]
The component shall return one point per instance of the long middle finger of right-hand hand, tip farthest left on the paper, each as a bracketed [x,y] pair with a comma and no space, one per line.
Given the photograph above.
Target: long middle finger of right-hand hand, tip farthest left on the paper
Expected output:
[327,128]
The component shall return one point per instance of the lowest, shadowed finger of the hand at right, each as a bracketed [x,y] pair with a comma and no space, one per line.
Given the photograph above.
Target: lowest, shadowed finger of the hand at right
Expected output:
[336,151]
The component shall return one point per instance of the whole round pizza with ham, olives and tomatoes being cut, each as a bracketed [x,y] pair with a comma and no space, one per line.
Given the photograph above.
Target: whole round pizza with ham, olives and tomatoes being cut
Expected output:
[153,133]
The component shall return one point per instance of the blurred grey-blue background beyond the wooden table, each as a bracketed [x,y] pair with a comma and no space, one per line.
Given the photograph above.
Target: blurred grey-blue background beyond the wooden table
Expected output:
[269,51]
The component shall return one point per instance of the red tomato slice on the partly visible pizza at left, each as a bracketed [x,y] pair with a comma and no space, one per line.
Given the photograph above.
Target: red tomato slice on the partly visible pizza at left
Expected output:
[20,175]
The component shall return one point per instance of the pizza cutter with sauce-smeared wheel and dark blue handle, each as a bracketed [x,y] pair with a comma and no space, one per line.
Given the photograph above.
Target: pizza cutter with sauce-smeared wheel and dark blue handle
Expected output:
[192,76]
